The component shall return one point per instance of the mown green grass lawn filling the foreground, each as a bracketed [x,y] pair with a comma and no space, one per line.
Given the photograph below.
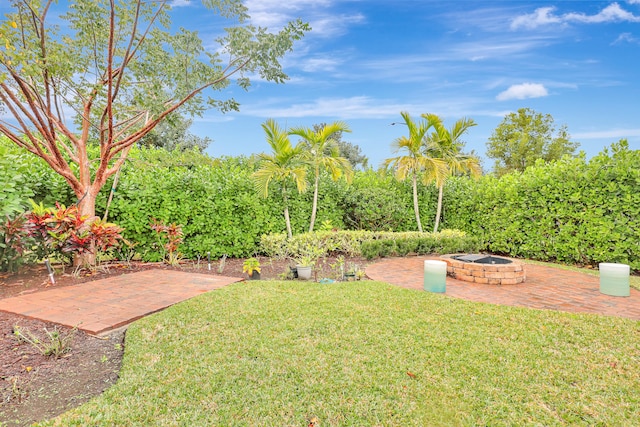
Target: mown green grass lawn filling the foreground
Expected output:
[368,354]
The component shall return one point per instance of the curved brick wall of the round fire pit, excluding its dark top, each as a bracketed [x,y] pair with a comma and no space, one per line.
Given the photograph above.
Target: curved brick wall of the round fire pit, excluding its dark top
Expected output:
[487,274]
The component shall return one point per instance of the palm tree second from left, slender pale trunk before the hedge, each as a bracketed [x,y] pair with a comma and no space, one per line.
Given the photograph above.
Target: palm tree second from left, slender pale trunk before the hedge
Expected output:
[323,154]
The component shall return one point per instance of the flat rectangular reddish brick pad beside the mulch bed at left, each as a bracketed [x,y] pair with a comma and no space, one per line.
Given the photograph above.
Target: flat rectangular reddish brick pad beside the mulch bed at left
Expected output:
[103,305]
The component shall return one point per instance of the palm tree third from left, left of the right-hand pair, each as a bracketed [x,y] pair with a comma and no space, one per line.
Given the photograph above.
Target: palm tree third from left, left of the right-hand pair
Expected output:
[416,162]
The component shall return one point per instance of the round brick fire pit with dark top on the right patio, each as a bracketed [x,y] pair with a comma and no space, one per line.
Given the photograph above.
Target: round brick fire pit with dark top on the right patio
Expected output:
[485,269]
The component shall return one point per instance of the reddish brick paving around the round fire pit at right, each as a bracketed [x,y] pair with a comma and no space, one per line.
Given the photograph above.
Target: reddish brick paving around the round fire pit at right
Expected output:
[545,288]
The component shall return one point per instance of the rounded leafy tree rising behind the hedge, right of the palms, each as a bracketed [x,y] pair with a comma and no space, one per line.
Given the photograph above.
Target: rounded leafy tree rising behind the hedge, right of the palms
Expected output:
[525,136]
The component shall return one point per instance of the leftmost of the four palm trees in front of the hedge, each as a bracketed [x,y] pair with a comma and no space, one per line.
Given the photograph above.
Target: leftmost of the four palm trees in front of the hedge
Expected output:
[284,165]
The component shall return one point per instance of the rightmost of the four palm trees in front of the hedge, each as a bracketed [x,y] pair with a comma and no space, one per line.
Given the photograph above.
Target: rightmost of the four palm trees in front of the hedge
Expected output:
[445,144]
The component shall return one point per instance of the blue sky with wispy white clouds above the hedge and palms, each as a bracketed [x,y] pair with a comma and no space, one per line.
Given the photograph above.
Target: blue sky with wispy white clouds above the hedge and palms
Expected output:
[365,61]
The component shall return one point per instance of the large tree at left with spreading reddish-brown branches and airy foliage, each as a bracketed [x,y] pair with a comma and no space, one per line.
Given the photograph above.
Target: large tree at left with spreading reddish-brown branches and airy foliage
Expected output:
[107,72]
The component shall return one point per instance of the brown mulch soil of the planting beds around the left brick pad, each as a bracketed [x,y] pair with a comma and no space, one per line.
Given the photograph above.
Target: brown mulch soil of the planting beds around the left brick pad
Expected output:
[34,387]
